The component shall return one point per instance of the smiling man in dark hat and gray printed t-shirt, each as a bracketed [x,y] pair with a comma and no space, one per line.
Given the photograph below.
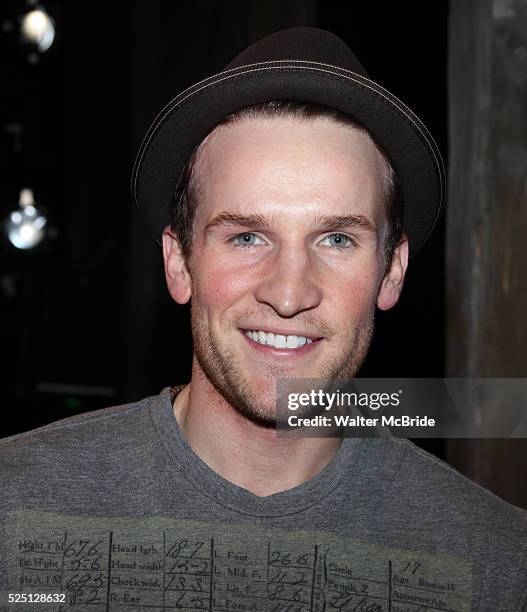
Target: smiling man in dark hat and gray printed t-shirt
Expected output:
[301,189]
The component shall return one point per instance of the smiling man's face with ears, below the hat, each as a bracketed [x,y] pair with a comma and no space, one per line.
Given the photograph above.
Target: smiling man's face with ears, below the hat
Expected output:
[286,265]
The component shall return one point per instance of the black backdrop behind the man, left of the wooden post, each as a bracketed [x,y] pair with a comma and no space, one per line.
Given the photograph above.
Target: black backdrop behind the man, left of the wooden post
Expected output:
[86,318]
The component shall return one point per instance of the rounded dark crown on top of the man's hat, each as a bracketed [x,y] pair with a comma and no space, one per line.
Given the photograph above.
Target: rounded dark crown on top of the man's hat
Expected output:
[301,43]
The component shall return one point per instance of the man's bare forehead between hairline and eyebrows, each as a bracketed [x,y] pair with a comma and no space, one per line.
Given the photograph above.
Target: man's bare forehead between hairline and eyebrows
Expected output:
[293,163]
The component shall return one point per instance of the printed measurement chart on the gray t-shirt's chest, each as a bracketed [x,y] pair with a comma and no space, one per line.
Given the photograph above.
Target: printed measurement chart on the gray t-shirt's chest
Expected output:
[100,564]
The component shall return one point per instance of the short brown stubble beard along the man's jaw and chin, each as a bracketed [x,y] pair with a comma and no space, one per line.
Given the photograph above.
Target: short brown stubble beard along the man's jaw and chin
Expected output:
[223,370]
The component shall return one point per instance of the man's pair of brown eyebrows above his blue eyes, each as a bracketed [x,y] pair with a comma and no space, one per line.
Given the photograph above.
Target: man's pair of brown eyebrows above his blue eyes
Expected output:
[322,222]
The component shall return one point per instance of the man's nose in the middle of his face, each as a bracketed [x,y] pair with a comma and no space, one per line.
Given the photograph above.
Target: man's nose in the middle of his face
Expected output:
[290,285]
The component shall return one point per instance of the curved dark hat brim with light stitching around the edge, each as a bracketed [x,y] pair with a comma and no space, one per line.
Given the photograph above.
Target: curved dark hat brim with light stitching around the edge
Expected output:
[189,117]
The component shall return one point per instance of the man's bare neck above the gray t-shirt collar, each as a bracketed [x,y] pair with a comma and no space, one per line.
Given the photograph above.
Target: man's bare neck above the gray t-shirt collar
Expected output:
[241,451]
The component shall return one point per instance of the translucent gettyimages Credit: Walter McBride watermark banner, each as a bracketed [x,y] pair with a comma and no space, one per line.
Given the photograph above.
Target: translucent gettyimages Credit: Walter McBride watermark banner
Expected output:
[406,408]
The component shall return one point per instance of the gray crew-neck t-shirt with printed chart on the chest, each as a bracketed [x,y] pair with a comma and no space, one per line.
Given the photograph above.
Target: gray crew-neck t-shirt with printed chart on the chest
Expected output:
[112,510]
